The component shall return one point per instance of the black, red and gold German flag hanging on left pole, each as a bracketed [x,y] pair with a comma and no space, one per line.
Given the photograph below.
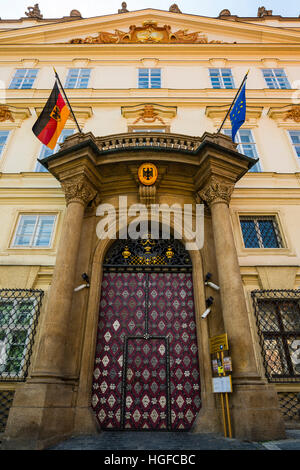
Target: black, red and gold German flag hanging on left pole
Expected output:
[52,119]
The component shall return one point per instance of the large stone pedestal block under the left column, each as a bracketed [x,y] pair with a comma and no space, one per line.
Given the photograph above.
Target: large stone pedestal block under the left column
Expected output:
[42,415]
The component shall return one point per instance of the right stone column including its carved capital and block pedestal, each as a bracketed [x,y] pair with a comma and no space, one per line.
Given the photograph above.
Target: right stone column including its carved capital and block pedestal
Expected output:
[254,403]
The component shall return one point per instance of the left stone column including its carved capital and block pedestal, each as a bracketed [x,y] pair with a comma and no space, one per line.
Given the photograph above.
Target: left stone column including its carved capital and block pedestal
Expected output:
[43,407]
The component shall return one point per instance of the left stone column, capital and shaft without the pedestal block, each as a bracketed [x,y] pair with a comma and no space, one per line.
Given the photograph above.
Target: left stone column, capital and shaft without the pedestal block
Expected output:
[50,357]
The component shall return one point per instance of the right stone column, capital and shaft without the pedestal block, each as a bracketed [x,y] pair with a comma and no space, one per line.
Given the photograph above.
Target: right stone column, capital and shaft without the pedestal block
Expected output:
[217,195]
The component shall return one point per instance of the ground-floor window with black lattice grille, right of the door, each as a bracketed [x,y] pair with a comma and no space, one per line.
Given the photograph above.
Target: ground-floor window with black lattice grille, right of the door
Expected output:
[277,315]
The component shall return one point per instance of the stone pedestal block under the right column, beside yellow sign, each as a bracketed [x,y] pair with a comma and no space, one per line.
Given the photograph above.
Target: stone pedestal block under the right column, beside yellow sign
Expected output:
[255,412]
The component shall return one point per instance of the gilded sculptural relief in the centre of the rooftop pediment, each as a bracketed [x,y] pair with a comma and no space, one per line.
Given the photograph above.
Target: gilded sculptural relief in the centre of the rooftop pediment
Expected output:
[148,33]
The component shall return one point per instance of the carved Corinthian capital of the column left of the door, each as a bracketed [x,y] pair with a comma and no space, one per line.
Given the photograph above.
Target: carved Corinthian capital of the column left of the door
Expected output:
[78,189]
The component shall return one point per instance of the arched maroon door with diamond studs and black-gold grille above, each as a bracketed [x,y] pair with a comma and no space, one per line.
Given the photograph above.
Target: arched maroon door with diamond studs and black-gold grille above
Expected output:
[146,373]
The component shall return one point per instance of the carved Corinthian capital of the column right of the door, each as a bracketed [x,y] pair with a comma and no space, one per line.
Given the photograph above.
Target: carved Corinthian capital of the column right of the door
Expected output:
[216,191]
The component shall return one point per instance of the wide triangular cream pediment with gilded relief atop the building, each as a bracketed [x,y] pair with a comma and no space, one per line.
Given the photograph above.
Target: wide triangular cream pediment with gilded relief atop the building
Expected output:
[150,27]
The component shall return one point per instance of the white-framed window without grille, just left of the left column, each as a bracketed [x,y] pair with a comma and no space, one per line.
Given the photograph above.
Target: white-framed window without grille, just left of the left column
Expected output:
[34,231]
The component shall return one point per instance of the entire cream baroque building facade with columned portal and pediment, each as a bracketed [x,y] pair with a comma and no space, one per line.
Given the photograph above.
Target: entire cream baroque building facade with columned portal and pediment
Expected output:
[130,349]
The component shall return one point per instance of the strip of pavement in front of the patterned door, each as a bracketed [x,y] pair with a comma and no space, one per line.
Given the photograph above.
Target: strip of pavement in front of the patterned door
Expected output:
[172,441]
